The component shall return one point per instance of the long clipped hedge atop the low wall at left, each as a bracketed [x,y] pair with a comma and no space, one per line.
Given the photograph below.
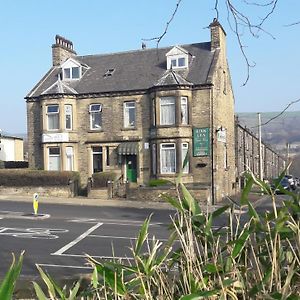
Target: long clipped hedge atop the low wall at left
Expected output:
[22,177]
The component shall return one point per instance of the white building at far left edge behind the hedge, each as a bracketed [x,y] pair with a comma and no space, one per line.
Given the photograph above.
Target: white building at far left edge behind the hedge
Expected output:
[11,148]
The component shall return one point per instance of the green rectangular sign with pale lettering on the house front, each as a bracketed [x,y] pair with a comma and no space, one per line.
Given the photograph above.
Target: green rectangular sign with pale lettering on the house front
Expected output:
[201,142]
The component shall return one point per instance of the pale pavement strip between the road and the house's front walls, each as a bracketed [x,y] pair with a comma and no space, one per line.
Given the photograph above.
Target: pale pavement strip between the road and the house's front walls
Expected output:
[118,202]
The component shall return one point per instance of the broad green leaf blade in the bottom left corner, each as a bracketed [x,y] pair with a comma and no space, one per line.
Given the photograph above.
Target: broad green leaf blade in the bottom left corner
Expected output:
[8,284]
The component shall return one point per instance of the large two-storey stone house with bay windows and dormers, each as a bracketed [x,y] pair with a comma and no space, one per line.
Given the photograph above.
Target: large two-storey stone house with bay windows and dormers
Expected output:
[138,113]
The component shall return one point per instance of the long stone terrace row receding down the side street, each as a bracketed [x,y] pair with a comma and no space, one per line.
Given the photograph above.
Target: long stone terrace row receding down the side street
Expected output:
[247,156]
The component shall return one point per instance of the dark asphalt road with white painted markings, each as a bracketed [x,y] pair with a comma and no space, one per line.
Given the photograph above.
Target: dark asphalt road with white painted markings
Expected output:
[60,237]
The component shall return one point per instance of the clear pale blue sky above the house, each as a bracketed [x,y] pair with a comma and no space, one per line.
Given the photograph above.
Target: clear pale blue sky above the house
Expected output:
[28,29]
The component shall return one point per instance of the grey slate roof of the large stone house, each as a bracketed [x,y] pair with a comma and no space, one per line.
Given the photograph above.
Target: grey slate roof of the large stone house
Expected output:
[134,70]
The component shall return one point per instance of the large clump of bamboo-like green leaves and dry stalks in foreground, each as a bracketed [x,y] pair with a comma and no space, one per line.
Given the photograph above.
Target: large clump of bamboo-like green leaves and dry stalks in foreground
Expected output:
[255,259]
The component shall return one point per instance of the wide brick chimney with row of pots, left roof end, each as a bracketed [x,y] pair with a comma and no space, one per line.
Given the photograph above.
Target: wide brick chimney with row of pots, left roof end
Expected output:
[61,50]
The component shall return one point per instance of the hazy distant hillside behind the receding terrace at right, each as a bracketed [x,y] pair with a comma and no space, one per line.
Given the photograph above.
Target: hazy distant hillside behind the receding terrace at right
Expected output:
[278,132]
